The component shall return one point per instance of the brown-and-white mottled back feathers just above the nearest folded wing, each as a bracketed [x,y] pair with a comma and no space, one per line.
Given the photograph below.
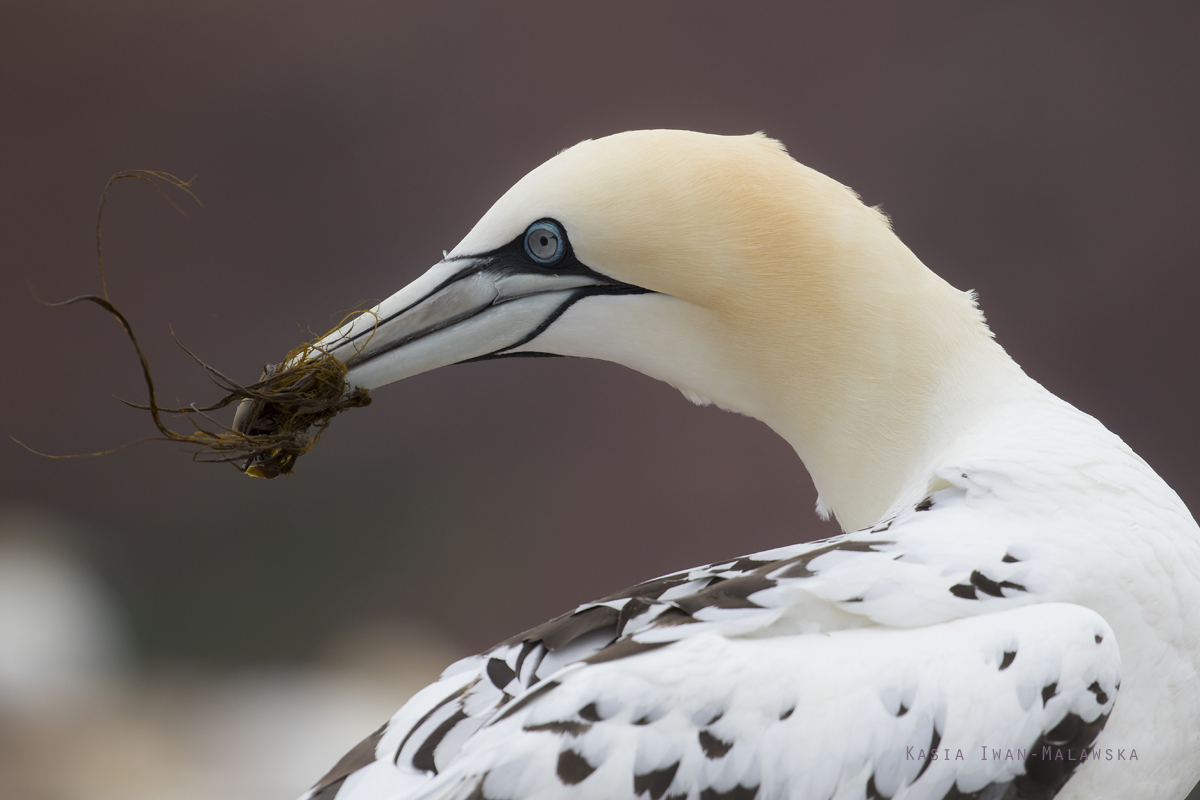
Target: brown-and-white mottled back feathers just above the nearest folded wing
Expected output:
[945,558]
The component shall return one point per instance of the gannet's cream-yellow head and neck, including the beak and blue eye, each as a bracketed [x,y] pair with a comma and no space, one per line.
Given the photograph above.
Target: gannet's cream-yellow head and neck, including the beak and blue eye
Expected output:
[727,269]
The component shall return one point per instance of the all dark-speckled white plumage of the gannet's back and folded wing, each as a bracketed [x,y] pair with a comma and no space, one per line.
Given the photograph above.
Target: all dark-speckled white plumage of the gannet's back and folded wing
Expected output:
[929,657]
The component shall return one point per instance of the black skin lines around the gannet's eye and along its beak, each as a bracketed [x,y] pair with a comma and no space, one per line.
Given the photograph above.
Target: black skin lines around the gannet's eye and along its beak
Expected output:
[509,260]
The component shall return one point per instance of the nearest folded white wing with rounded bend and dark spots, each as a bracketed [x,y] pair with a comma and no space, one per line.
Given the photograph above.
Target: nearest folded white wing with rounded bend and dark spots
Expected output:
[1007,709]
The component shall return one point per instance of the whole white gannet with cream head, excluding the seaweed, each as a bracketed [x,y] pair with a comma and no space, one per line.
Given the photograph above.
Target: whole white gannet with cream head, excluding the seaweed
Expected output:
[1015,611]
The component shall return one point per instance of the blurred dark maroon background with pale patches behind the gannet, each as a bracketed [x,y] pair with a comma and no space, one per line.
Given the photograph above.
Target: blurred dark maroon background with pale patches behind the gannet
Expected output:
[177,631]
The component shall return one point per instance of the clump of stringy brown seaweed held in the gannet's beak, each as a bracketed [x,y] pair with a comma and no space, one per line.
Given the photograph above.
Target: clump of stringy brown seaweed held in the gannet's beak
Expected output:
[280,418]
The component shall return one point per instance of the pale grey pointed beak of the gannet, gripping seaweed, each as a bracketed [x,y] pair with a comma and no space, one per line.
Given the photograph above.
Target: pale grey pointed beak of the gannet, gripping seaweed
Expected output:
[464,309]
